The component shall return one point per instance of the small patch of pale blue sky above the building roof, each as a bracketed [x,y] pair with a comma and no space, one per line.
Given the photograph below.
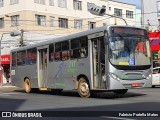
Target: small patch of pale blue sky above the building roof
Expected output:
[135,2]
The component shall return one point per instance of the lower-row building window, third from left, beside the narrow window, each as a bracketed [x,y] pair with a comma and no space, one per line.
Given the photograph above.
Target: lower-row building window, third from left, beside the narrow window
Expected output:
[40,20]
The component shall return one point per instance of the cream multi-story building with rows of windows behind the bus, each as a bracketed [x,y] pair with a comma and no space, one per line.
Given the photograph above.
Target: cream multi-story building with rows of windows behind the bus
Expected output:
[56,17]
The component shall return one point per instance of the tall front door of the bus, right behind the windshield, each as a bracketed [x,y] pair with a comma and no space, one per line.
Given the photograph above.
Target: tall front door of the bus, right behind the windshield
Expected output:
[98,55]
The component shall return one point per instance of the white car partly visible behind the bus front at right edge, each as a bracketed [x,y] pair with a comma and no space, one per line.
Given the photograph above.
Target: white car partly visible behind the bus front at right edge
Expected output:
[156,76]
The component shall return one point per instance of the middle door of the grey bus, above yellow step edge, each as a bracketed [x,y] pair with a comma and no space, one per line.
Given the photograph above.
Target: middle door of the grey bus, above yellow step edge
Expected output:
[42,68]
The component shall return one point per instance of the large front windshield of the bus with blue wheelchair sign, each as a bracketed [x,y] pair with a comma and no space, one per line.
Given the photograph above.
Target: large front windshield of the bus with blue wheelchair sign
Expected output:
[129,51]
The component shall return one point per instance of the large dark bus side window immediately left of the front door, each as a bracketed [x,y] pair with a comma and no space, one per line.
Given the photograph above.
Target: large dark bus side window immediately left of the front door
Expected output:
[79,48]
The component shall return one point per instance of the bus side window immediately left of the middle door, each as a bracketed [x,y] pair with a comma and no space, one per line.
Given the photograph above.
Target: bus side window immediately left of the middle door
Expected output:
[31,56]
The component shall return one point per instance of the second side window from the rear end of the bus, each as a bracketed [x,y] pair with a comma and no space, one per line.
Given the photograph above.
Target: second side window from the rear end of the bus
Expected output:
[21,57]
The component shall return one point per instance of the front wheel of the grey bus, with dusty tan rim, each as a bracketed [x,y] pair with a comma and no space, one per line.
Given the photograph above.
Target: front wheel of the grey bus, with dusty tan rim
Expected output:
[83,88]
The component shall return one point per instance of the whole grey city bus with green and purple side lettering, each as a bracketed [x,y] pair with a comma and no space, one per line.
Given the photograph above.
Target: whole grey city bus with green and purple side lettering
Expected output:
[97,60]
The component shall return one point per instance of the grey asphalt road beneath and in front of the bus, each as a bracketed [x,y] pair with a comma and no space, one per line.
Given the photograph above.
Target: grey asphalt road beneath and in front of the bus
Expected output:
[101,104]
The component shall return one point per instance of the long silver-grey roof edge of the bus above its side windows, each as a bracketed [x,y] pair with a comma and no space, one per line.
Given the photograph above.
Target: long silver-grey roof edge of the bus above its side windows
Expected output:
[67,37]
